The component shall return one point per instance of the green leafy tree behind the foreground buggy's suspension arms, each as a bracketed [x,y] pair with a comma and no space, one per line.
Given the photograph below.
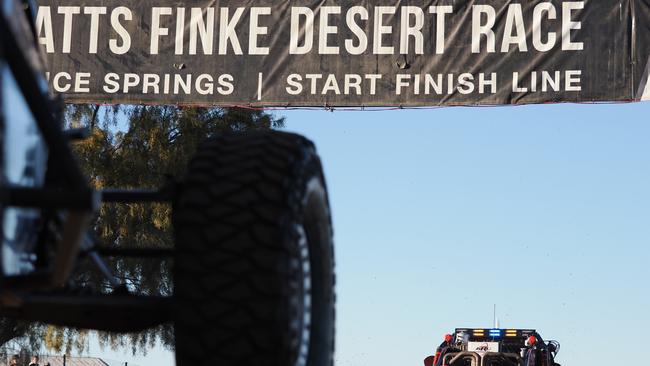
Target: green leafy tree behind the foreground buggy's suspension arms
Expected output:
[139,147]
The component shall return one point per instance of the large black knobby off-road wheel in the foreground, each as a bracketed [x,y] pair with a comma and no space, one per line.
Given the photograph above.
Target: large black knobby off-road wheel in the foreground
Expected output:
[254,269]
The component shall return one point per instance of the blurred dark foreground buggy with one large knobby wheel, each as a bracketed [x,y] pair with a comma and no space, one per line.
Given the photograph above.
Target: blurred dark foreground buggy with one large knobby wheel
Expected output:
[253,263]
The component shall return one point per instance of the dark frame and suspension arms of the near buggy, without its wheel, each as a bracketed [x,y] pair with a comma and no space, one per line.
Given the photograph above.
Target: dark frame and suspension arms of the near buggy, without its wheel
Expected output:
[43,295]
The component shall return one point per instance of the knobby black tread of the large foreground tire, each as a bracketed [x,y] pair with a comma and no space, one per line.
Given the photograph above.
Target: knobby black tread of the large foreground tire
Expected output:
[231,265]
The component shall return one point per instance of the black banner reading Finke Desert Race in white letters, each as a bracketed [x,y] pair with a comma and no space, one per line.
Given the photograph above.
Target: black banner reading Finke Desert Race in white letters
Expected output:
[405,53]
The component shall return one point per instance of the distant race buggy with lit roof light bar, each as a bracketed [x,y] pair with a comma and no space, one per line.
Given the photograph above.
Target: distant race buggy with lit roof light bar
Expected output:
[494,347]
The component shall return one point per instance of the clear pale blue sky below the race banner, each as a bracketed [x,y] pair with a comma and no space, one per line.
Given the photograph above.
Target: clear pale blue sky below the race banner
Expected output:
[439,214]
